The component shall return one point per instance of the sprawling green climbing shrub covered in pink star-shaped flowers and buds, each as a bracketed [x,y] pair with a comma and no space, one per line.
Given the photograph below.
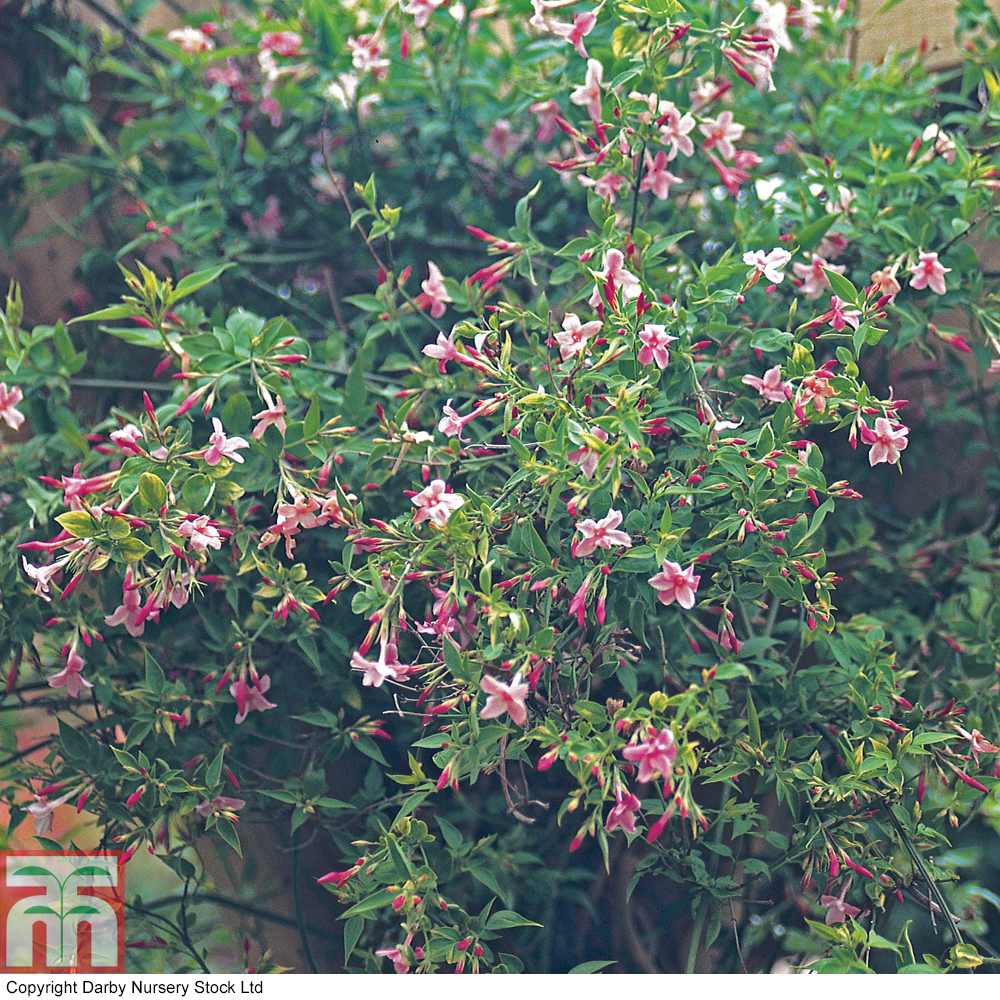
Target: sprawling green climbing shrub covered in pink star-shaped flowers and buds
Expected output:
[568,548]
